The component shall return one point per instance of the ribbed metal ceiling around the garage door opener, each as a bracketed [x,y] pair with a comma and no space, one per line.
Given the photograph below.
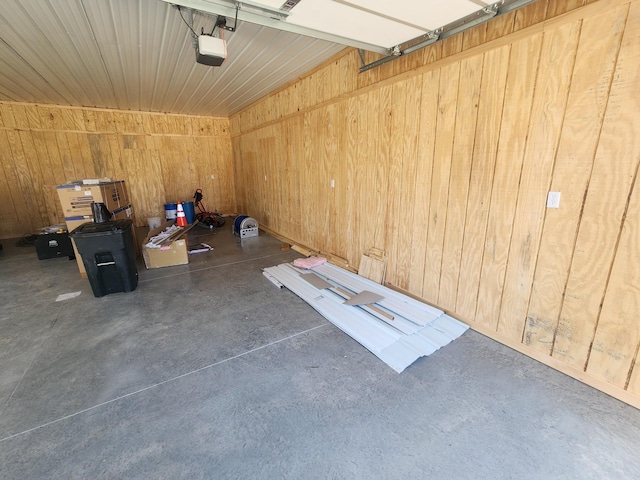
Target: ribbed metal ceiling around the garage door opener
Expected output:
[138,55]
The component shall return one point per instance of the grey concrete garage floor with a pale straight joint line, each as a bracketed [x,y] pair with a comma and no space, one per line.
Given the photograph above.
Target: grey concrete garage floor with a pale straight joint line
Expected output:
[209,371]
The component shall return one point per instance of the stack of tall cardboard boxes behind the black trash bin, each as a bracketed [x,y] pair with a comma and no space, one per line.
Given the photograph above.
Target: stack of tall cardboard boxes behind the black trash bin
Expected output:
[76,199]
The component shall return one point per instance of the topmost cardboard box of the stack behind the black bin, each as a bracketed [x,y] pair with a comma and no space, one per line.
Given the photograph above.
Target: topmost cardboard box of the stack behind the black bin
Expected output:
[76,198]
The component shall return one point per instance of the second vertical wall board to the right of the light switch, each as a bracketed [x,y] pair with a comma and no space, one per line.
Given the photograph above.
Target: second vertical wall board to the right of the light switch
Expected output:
[604,206]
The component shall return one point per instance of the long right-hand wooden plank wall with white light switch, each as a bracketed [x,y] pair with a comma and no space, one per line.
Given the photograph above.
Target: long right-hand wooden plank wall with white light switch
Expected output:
[444,159]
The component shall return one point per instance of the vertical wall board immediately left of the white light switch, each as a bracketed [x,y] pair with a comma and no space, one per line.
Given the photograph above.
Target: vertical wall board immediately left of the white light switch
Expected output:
[549,102]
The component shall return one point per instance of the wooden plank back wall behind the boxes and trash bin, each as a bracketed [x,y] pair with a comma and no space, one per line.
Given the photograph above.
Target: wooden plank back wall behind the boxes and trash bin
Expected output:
[162,158]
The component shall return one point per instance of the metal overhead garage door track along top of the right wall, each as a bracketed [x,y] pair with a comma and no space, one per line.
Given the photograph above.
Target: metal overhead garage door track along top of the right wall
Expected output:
[481,16]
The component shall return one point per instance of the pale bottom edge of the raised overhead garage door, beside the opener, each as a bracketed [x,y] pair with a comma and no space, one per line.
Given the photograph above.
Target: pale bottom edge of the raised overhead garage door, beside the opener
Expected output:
[250,12]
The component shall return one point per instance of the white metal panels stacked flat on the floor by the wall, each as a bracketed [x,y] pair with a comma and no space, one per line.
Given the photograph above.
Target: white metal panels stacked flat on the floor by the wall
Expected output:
[394,327]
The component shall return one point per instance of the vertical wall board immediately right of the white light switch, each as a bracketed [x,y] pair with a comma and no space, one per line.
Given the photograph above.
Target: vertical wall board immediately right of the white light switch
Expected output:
[590,84]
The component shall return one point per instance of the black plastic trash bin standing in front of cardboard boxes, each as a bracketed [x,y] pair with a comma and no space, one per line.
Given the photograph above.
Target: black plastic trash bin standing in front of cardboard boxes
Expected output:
[108,252]
